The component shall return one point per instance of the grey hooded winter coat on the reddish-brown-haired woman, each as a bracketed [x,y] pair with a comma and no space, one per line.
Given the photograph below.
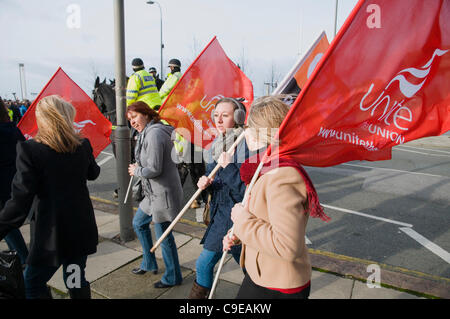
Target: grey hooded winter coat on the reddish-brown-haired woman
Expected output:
[160,179]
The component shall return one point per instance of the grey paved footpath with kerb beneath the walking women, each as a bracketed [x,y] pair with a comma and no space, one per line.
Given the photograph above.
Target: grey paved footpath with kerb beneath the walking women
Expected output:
[333,277]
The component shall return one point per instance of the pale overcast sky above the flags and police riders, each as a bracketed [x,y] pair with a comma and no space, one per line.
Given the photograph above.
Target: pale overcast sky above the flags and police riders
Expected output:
[260,35]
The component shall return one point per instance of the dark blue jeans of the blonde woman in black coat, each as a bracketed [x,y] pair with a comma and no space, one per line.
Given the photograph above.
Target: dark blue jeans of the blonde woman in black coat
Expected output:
[36,276]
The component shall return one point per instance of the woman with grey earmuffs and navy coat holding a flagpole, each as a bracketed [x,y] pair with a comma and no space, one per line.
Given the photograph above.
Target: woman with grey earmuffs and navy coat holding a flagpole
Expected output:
[226,189]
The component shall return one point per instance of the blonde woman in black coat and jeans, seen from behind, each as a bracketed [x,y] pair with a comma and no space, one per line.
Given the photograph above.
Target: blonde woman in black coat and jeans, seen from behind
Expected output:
[51,180]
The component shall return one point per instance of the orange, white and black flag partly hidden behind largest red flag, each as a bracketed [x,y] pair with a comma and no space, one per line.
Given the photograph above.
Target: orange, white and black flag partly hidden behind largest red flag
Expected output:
[303,69]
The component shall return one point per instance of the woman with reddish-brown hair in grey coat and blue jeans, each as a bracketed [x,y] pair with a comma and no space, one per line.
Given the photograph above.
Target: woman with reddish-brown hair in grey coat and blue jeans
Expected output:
[161,186]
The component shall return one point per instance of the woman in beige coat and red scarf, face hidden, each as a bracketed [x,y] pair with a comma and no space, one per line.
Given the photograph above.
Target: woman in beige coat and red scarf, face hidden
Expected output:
[272,225]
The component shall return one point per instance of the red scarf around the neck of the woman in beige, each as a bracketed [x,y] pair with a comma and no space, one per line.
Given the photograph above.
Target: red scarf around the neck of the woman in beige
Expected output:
[250,165]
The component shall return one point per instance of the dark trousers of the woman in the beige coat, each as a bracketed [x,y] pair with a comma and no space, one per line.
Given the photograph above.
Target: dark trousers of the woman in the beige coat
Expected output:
[250,290]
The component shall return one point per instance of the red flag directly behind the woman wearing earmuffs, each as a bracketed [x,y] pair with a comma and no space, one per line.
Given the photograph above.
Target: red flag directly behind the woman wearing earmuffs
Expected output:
[209,78]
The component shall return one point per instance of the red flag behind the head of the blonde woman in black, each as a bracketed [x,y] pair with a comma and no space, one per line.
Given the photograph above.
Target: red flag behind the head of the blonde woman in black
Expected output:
[88,120]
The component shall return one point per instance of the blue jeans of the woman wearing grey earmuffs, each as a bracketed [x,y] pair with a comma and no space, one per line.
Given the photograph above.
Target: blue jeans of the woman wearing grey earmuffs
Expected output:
[205,266]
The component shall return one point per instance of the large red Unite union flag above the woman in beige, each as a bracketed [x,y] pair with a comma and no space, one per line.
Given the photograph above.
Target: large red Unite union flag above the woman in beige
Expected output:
[384,81]
